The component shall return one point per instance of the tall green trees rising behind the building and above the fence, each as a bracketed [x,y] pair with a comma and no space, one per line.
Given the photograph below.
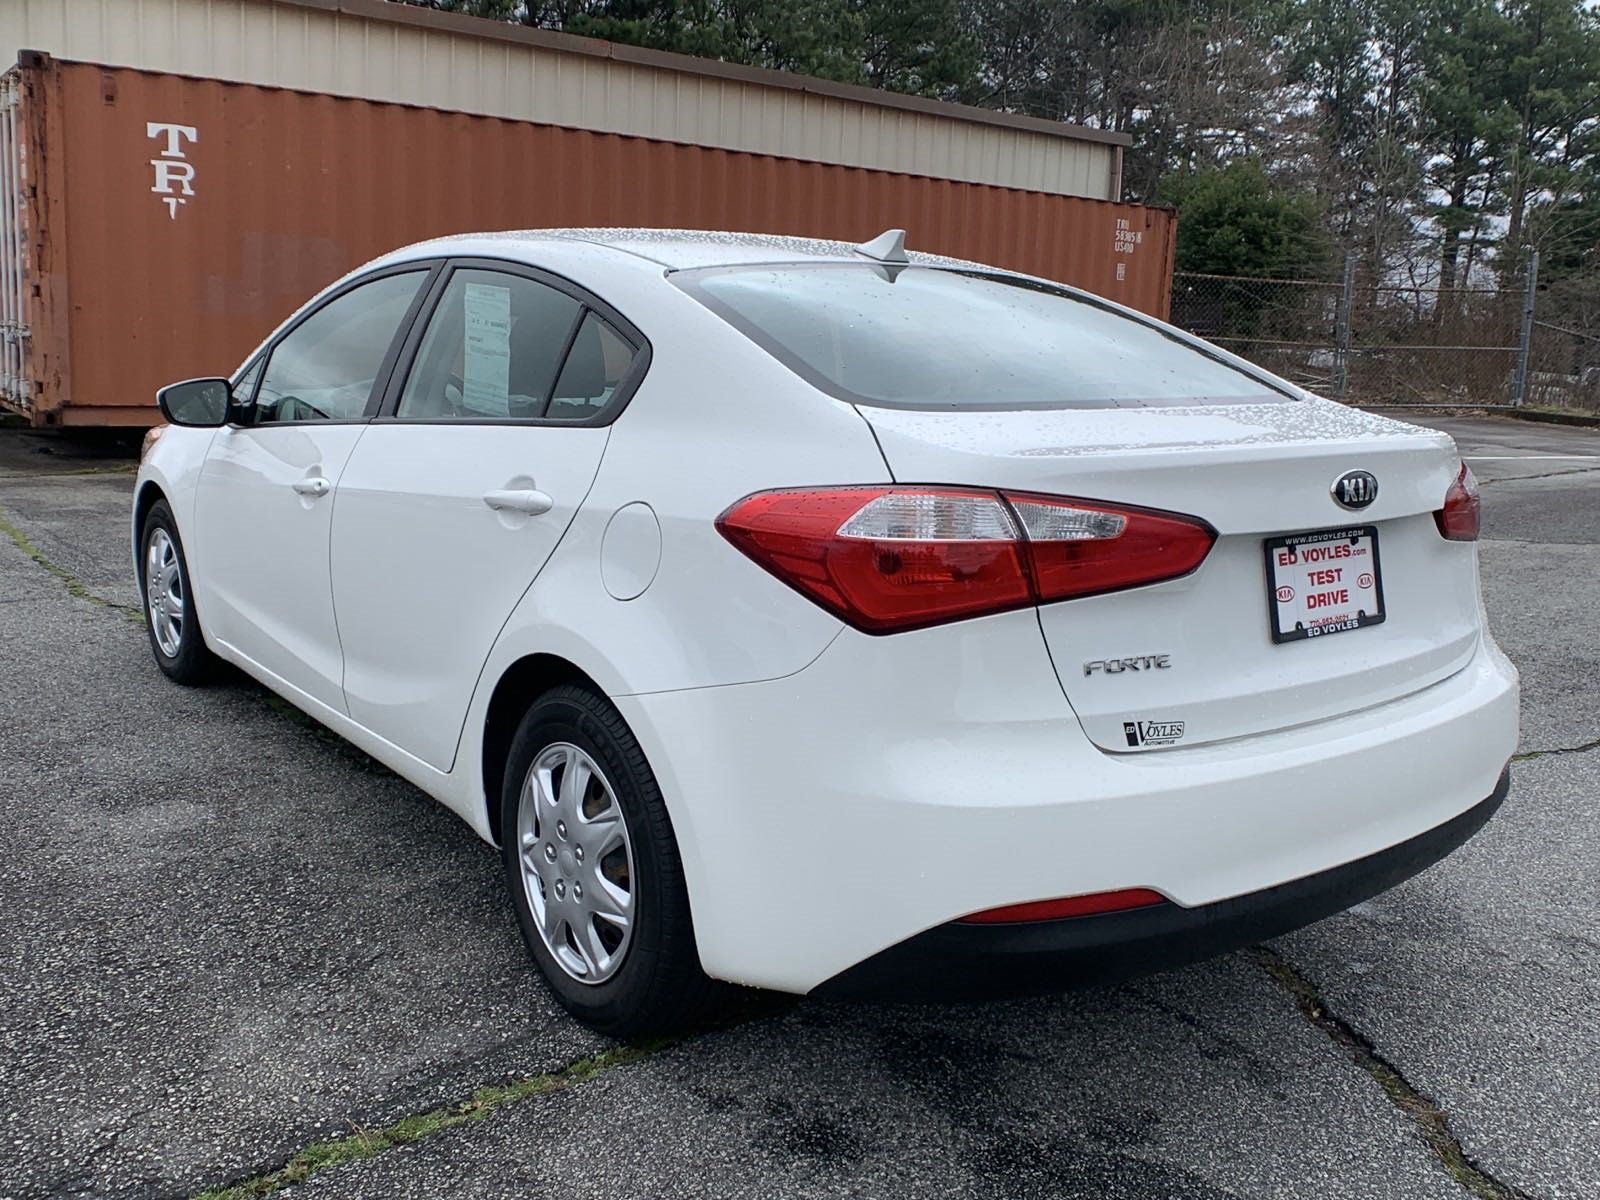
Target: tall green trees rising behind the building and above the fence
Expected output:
[1433,140]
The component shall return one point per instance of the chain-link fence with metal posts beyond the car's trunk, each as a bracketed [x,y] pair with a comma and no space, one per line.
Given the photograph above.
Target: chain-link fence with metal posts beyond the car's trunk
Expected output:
[1402,345]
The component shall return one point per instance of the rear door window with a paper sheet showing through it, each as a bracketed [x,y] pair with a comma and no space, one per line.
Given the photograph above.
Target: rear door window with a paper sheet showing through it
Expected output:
[490,351]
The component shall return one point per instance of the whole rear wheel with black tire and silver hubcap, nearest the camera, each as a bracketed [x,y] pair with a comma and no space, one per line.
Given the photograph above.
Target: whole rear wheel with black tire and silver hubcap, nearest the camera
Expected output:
[594,871]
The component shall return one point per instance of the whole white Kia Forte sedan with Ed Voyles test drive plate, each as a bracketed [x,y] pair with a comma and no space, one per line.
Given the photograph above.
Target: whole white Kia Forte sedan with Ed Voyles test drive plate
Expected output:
[838,620]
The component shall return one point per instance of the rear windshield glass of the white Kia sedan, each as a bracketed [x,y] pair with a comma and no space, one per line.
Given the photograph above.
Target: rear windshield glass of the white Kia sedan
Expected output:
[935,338]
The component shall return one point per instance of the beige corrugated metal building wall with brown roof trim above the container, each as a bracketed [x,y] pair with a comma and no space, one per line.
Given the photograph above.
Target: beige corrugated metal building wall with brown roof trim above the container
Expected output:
[409,55]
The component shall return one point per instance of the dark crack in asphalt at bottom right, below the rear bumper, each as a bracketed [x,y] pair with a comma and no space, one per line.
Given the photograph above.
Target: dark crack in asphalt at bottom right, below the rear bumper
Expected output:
[1430,1119]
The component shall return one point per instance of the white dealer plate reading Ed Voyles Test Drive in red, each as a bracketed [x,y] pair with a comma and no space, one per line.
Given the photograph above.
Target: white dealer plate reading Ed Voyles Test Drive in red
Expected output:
[1324,583]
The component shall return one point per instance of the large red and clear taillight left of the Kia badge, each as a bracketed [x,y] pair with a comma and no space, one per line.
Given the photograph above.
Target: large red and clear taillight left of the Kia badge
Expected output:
[892,559]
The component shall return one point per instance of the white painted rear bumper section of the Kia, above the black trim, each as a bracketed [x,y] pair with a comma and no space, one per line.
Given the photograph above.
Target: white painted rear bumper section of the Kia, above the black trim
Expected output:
[902,783]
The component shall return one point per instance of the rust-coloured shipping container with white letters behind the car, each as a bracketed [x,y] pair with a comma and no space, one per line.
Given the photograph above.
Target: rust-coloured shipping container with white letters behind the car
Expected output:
[158,226]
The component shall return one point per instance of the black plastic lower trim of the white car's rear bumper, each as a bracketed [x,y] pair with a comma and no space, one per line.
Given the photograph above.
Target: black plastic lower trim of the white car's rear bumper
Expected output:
[985,962]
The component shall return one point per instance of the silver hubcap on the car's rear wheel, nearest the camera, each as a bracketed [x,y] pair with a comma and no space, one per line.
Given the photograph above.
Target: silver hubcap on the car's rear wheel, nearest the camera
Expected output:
[577,863]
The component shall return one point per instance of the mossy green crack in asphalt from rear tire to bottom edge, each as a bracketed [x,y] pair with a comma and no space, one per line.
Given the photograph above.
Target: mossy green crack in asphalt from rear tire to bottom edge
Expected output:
[417,1127]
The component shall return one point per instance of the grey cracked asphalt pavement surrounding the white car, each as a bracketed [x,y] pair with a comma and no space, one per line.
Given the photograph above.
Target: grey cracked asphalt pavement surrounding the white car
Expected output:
[239,954]
